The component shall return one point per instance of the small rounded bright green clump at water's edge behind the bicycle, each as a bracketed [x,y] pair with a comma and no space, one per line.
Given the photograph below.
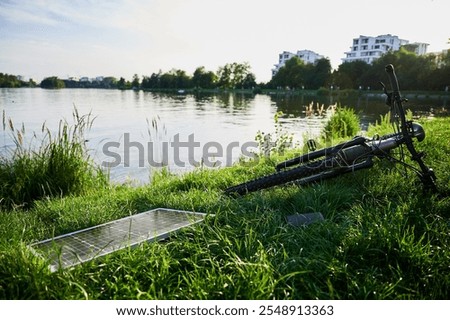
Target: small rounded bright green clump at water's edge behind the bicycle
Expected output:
[342,124]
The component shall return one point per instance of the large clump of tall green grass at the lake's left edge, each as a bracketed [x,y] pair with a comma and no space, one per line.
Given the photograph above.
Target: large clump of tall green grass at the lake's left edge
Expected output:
[59,167]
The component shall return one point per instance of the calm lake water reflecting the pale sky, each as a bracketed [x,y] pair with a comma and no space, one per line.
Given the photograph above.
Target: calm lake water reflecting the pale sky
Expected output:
[134,132]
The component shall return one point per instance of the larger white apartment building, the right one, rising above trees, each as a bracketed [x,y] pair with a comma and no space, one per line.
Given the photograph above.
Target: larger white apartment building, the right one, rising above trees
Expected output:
[368,48]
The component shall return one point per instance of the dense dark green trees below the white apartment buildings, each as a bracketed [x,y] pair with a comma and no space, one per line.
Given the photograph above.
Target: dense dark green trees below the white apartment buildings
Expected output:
[414,72]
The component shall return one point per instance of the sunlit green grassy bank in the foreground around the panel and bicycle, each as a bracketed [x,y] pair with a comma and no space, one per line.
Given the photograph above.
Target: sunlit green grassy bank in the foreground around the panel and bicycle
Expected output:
[382,238]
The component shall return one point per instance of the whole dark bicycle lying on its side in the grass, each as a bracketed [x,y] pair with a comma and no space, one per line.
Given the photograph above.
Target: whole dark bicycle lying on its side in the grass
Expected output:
[352,155]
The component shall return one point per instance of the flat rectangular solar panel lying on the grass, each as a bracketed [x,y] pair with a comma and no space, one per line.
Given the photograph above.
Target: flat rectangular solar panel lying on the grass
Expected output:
[70,249]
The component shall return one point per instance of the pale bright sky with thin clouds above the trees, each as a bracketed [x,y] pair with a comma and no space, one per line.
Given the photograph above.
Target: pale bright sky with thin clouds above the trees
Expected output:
[120,38]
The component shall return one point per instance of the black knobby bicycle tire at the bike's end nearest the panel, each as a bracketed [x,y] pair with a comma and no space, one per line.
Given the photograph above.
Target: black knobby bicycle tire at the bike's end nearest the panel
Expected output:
[282,177]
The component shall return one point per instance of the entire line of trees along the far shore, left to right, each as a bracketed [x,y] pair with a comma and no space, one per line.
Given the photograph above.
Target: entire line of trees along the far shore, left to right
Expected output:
[415,72]
